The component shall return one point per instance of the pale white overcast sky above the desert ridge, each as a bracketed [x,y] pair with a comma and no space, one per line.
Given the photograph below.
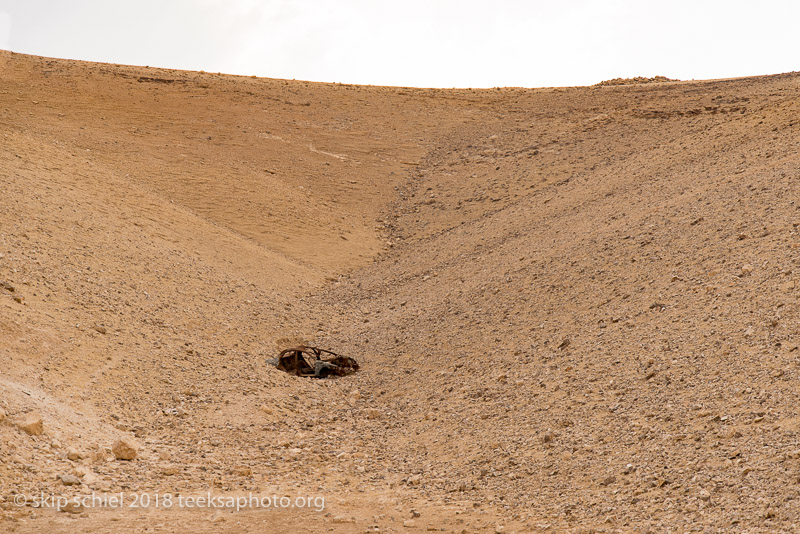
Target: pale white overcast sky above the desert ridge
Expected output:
[418,43]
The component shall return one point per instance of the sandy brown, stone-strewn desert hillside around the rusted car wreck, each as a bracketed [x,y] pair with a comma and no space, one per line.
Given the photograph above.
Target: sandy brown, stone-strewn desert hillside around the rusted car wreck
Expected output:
[575,309]
